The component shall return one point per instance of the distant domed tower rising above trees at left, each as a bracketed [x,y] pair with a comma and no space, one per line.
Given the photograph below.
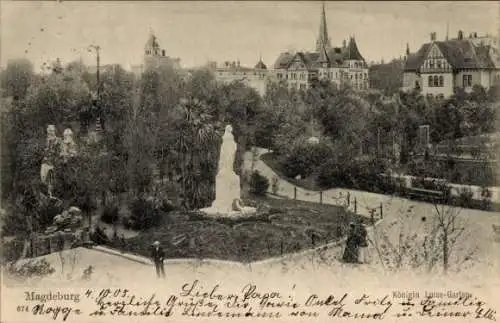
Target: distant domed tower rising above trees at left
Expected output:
[154,57]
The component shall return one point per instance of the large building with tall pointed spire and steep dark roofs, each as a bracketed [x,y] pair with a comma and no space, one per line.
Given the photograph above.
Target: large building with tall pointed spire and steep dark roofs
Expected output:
[341,65]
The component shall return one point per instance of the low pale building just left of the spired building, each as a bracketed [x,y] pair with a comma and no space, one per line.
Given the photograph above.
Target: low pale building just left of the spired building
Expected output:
[256,77]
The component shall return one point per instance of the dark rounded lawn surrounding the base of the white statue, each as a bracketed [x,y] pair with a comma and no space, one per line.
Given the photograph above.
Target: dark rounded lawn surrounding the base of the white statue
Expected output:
[280,227]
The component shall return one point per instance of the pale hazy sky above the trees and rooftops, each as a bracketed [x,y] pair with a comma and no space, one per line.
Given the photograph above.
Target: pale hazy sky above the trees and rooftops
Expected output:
[201,31]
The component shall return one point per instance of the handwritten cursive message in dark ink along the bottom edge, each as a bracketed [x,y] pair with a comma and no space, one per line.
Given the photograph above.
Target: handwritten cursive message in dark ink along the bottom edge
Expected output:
[196,300]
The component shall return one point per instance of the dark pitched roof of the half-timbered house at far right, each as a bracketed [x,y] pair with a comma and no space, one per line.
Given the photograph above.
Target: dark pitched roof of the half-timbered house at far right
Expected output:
[461,54]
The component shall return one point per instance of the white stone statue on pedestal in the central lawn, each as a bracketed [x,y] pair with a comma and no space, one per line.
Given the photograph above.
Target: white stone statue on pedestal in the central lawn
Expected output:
[227,183]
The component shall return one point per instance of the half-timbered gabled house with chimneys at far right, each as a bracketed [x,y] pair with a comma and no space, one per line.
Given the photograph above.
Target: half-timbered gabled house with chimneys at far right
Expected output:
[439,67]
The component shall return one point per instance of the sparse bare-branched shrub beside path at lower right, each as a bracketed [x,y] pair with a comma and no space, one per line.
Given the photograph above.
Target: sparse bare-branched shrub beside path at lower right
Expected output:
[425,242]
